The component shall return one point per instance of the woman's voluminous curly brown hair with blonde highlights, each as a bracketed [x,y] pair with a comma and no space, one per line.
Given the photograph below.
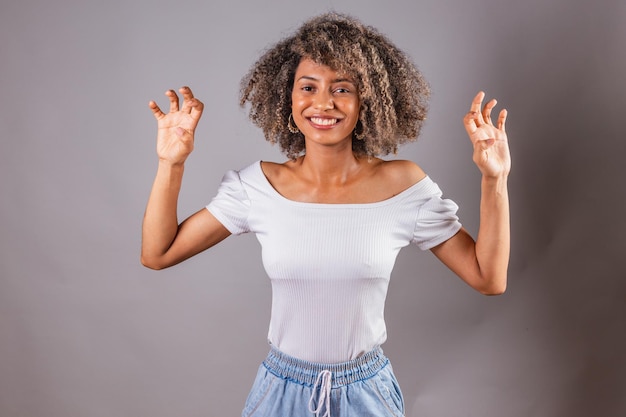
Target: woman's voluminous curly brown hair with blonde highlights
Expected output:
[393,93]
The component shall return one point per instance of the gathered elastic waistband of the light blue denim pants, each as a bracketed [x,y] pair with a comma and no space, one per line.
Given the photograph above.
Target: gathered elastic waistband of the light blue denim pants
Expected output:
[306,373]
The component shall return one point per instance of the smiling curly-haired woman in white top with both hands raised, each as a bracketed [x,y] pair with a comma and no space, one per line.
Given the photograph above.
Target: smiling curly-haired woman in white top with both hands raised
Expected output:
[331,220]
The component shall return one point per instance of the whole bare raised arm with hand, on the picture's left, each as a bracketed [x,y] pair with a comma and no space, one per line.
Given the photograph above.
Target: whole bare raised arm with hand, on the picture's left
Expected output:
[164,241]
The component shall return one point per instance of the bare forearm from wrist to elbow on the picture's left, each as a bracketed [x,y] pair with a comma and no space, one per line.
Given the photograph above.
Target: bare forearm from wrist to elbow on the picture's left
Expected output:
[160,223]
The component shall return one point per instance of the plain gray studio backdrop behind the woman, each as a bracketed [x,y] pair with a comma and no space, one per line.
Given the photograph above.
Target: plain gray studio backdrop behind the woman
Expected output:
[86,331]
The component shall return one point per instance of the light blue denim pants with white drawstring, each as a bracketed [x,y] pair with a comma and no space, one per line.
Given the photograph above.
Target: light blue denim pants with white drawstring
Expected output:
[290,387]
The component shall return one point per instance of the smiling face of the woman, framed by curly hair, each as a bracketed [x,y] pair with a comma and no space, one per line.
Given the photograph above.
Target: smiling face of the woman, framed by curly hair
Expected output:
[325,104]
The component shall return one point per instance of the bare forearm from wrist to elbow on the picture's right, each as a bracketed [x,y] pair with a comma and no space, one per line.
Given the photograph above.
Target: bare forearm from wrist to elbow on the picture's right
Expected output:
[493,241]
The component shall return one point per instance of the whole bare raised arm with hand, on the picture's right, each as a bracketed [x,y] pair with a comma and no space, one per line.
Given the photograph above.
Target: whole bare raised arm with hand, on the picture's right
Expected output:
[483,264]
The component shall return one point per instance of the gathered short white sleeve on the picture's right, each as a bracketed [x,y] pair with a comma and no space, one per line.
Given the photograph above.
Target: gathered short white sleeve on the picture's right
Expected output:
[436,220]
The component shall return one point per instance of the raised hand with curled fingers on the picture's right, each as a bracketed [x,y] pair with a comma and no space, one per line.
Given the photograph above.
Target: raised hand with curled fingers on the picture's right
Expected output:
[491,147]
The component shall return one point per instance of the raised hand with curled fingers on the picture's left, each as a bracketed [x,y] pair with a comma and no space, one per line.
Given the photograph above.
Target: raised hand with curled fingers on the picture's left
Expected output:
[175,135]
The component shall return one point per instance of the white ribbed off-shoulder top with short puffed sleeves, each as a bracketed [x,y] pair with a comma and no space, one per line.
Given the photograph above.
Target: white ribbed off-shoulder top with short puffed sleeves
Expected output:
[330,264]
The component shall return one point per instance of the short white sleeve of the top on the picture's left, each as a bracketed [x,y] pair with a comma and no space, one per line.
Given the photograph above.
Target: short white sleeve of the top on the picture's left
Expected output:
[231,205]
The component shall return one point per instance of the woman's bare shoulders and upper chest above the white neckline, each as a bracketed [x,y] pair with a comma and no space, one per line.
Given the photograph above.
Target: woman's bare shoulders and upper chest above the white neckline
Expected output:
[368,181]
